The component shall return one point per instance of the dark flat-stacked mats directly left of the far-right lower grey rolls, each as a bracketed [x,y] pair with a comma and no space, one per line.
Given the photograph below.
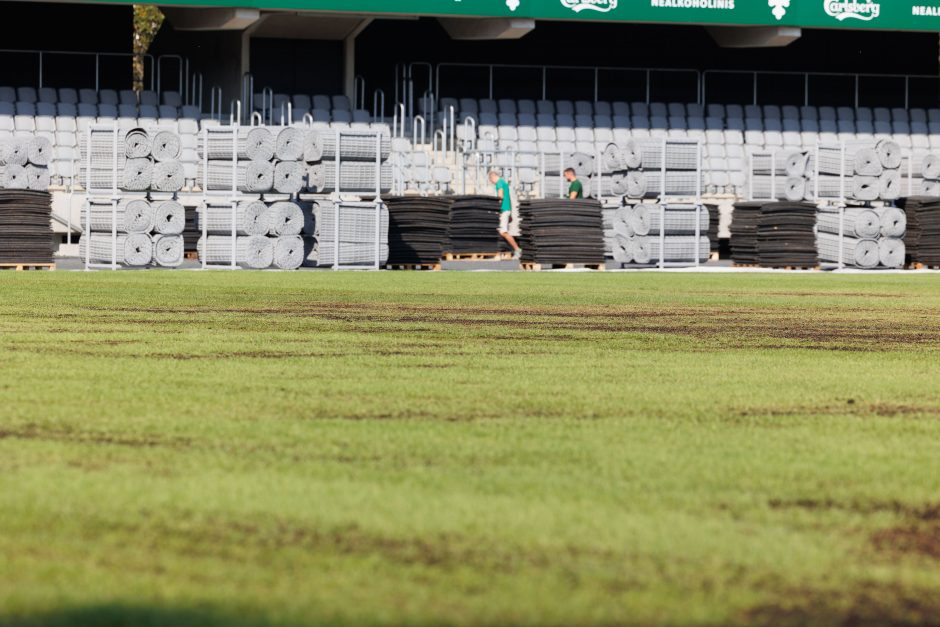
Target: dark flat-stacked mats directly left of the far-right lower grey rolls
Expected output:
[786,235]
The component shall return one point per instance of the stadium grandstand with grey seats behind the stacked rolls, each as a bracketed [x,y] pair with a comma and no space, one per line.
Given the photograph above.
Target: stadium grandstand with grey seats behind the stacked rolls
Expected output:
[460,85]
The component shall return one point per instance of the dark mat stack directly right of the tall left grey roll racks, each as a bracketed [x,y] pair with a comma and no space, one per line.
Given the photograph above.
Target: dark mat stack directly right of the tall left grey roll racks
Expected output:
[417,229]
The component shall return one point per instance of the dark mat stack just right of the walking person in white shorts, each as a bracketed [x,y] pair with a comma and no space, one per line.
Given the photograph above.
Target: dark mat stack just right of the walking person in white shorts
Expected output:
[556,231]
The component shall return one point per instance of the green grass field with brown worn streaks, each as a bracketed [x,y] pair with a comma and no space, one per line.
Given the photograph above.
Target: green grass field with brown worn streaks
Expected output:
[253,449]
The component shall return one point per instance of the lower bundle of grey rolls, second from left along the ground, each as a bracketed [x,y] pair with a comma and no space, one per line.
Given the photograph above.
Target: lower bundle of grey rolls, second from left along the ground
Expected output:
[265,235]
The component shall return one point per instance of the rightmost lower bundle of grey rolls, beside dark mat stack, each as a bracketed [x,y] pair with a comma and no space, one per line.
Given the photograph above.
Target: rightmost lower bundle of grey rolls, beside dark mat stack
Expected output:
[870,237]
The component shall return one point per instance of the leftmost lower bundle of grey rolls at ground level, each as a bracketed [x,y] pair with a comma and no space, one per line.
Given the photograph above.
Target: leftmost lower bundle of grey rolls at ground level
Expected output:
[136,232]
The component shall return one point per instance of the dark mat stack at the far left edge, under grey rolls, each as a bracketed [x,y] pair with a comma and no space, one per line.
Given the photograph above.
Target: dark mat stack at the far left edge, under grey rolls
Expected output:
[25,227]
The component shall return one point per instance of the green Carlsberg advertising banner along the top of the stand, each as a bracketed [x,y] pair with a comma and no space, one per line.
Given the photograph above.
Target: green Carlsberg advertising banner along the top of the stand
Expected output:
[922,15]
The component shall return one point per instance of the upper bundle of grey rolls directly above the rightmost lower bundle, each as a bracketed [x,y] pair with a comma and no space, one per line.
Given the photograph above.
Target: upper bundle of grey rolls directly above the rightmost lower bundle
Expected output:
[864,172]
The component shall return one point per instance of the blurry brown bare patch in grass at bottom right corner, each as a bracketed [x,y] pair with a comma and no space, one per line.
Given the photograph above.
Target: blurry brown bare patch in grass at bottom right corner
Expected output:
[868,604]
